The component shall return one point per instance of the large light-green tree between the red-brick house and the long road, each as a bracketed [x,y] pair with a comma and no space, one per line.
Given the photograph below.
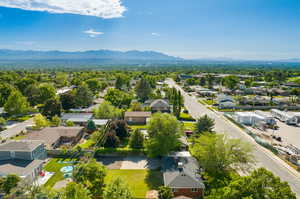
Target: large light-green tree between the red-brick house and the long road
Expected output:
[219,154]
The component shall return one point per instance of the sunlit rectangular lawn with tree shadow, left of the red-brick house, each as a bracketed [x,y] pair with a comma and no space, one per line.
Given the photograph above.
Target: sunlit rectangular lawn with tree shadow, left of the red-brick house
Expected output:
[138,181]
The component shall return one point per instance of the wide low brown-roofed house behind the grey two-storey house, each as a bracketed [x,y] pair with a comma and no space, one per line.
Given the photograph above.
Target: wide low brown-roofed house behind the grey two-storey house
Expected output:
[54,137]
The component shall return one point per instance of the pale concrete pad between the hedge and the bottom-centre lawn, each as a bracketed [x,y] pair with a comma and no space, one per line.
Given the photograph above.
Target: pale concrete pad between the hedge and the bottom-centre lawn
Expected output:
[134,162]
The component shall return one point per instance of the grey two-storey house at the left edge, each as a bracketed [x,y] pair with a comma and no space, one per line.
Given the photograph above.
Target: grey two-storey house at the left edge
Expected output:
[24,158]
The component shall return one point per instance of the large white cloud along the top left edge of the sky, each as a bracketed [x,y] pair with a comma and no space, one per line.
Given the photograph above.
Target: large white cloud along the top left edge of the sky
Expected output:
[99,8]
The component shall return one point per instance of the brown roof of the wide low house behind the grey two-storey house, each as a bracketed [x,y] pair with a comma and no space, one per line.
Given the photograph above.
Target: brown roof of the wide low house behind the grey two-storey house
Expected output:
[50,135]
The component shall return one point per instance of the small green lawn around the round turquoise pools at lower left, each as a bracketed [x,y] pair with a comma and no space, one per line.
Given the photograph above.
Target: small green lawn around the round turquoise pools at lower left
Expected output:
[54,166]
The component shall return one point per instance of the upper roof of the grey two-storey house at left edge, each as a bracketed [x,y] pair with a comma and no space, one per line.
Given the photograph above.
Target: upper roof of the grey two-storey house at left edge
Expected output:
[22,145]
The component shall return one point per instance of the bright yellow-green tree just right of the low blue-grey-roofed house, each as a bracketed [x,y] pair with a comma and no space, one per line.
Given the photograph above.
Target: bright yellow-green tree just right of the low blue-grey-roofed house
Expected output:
[107,111]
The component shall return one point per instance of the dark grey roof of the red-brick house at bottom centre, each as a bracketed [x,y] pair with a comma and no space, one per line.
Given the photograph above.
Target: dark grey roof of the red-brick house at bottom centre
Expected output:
[187,177]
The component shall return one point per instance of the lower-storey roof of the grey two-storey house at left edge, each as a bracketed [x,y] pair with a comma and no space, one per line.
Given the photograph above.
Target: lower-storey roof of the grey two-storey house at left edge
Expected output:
[21,168]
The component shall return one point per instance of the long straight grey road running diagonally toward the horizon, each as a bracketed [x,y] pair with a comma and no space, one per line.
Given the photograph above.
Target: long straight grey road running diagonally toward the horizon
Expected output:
[264,158]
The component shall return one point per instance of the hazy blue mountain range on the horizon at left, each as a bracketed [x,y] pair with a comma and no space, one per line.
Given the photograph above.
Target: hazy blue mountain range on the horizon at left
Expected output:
[83,55]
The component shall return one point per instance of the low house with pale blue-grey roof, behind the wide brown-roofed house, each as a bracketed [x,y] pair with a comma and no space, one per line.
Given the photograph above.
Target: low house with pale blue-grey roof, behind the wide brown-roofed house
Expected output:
[77,118]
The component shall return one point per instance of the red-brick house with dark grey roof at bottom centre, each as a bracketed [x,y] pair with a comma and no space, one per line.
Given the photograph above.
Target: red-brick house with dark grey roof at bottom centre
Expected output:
[181,173]
